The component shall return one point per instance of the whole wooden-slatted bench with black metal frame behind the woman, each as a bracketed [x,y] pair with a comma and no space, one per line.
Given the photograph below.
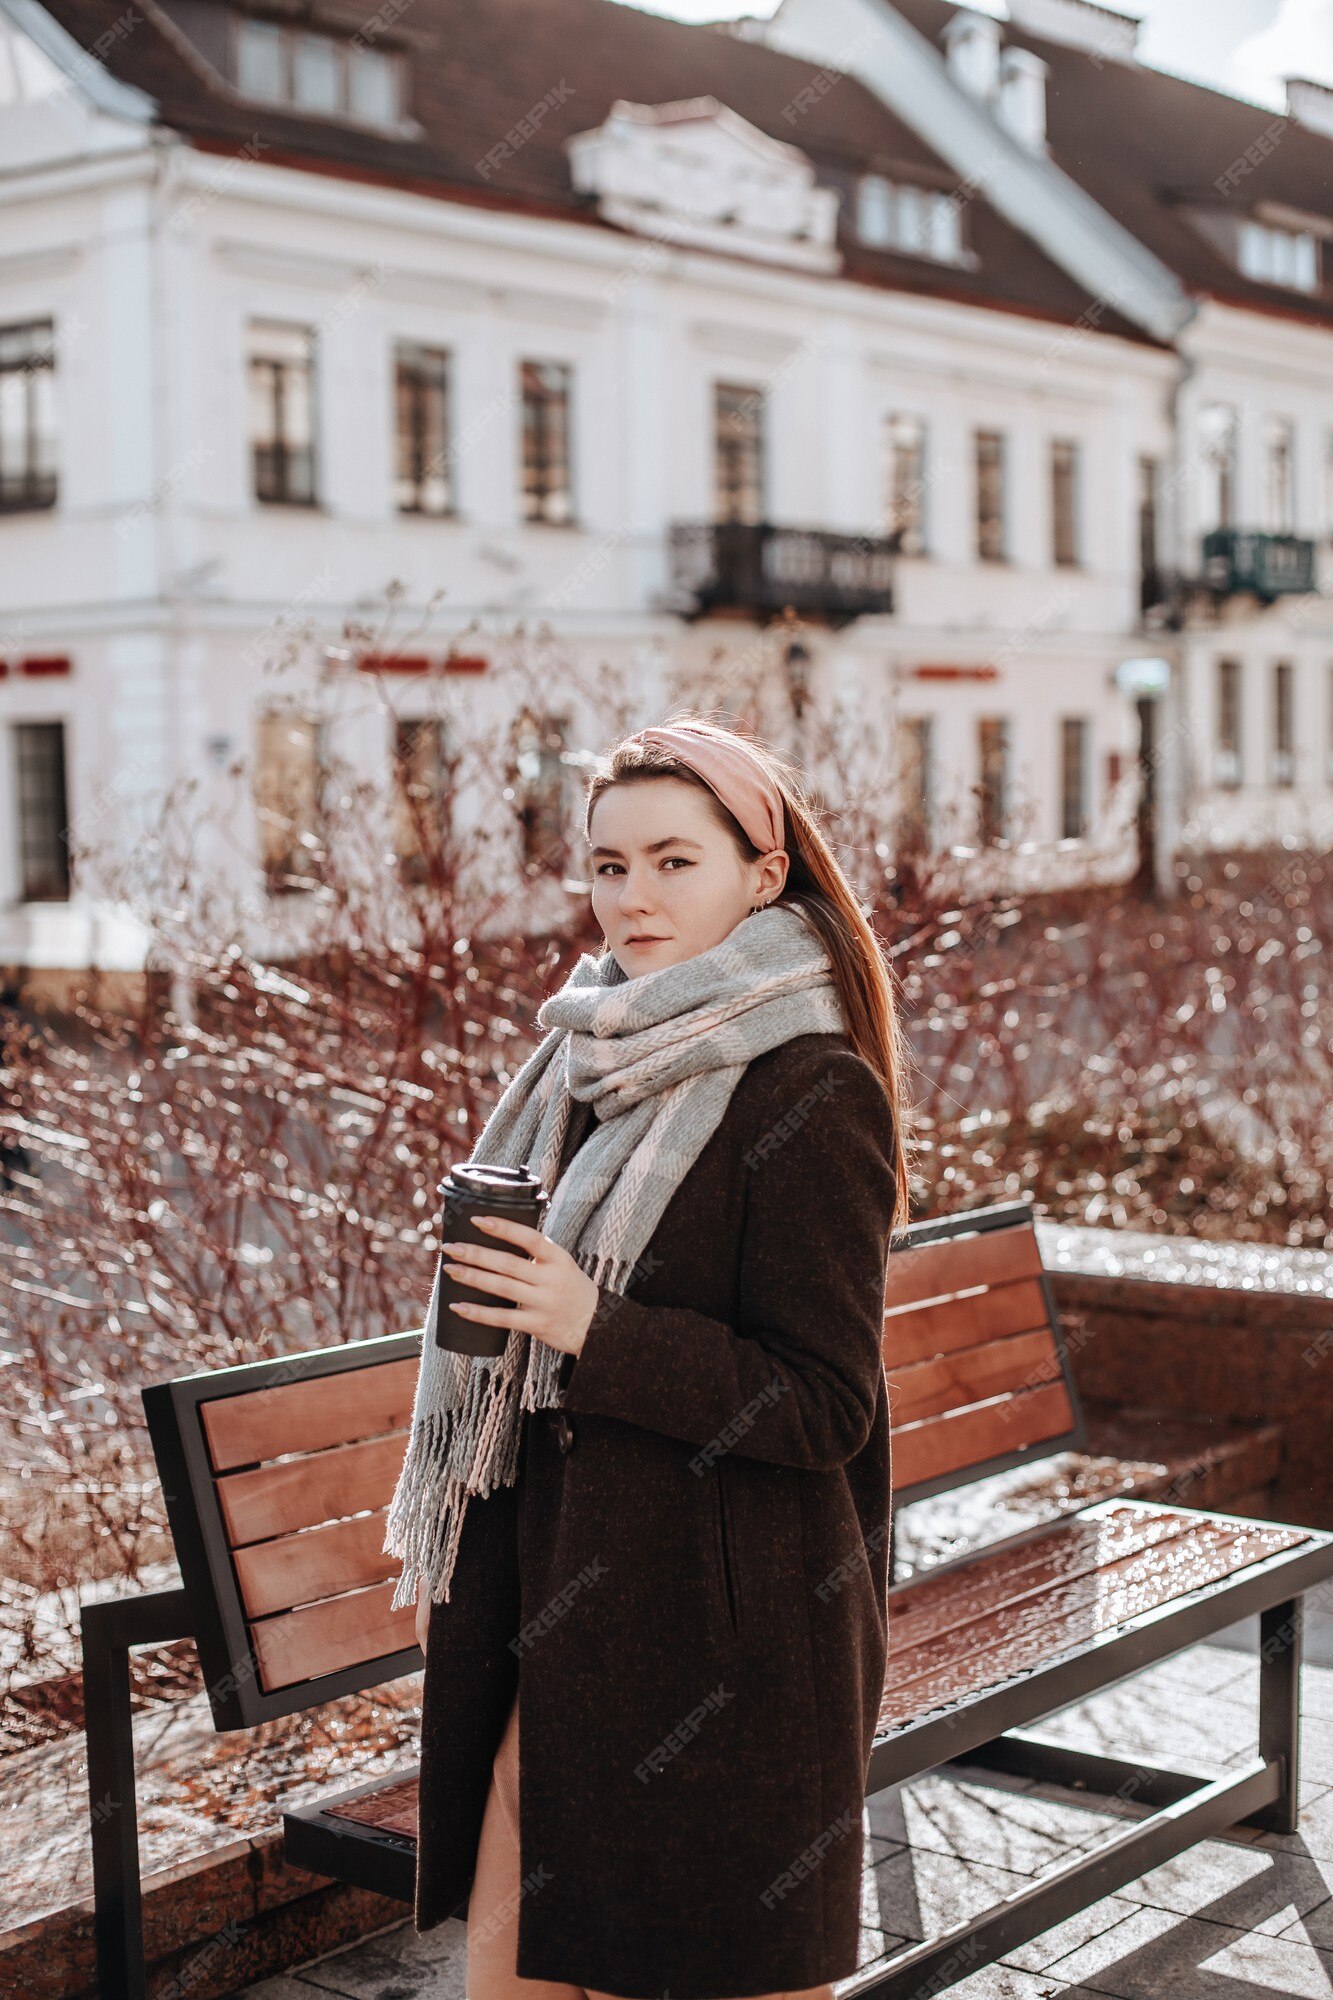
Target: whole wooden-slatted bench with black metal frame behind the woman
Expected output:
[285,1591]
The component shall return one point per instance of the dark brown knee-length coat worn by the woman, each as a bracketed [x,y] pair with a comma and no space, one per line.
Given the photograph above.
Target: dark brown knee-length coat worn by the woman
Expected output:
[688,1583]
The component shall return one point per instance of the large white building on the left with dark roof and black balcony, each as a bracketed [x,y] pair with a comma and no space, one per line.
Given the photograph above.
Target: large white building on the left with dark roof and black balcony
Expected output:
[591,317]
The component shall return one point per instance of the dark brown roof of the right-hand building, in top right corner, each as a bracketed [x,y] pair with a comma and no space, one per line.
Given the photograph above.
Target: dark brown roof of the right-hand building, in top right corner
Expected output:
[1148,147]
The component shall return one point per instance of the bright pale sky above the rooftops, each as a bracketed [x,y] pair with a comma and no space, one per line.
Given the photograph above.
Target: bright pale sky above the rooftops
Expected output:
[1238,45]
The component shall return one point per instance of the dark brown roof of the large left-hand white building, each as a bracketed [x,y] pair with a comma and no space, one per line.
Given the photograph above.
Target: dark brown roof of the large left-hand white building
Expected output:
[481,65]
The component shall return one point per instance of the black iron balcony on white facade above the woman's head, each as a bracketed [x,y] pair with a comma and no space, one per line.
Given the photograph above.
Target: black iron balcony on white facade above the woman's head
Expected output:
[766,571]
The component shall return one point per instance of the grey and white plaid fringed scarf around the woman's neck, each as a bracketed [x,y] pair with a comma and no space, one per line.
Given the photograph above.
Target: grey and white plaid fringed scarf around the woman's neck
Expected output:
[659,1057]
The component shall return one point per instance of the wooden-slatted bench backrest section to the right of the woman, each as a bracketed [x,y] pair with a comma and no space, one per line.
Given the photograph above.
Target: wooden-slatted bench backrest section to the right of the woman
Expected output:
[974,1351]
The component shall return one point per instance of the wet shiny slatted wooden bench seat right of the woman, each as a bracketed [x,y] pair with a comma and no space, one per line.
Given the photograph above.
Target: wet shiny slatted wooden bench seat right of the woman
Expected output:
[1016,1639]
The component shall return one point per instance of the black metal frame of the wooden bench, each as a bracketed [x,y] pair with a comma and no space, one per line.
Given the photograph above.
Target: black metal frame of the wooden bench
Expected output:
[978,1733]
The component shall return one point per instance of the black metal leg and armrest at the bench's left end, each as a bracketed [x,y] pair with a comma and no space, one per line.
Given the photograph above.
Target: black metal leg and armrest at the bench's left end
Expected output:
[109,1631]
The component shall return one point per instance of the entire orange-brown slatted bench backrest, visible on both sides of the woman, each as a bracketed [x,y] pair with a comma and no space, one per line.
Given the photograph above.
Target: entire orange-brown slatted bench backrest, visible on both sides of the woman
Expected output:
[279,1475]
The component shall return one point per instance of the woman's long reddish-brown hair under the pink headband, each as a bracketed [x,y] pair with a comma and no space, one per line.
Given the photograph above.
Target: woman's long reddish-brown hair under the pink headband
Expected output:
[816,881]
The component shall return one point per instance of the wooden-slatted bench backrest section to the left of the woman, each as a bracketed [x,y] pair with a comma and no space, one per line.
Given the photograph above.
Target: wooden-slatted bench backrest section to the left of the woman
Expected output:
[277,1481]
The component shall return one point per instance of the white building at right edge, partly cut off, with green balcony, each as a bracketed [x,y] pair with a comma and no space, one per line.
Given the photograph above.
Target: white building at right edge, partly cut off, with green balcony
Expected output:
[1208,221]
